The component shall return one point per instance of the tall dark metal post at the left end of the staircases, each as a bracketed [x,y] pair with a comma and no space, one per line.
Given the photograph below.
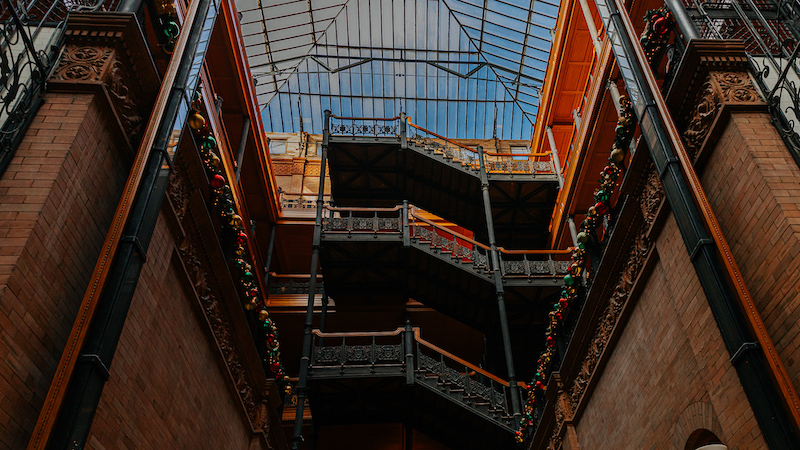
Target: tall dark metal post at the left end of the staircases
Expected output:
[302,383]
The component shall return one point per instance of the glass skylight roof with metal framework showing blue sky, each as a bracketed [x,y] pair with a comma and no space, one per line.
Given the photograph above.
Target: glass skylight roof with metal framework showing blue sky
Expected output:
[462,68]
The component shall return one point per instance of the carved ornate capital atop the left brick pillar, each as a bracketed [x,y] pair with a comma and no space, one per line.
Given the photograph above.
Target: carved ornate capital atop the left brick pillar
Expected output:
[107,51]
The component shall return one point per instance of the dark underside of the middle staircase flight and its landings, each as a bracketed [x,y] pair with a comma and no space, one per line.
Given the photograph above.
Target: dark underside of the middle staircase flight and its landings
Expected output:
[364,274]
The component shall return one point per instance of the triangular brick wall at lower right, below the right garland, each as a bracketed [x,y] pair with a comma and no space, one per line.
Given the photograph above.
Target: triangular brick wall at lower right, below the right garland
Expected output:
[669,363]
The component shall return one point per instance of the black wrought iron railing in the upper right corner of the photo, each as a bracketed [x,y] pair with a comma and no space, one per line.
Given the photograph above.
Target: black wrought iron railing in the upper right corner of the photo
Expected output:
[771,35]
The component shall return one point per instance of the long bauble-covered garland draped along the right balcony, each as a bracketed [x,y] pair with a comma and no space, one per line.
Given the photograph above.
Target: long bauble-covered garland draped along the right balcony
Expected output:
[602,196]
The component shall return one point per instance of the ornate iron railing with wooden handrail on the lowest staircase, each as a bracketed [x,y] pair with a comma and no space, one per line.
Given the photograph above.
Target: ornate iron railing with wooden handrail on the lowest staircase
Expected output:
[342,355]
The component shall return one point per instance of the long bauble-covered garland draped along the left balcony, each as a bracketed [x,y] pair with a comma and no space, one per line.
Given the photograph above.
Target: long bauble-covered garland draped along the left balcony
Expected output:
[222,199]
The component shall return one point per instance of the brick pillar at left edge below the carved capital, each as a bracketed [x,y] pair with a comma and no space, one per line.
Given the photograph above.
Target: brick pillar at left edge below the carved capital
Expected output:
[56,202]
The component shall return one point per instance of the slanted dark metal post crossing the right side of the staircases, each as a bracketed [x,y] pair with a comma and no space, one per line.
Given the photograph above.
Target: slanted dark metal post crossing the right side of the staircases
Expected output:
[498,282]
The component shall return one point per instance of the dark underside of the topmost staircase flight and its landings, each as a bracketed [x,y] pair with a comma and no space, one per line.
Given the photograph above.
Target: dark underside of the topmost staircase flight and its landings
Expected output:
[375,172]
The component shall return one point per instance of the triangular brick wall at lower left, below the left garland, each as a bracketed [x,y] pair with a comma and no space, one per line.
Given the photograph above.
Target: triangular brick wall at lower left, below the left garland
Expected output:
[167,388]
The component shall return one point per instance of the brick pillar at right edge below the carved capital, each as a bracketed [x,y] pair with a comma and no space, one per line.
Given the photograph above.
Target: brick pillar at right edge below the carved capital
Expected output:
[753,184]
